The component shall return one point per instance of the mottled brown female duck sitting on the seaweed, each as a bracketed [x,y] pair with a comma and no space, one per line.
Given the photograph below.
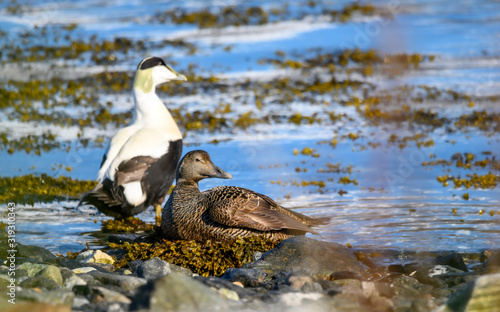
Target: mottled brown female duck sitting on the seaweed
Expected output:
[225,212]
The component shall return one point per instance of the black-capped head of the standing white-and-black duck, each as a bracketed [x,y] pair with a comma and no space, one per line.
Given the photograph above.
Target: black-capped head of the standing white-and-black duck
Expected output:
[153,71]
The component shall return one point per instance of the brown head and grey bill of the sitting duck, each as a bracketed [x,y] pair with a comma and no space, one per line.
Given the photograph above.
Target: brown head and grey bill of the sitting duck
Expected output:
[197,165]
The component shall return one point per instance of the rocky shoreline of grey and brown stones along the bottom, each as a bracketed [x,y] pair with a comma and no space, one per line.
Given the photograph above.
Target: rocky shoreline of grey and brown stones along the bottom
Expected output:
[299,274]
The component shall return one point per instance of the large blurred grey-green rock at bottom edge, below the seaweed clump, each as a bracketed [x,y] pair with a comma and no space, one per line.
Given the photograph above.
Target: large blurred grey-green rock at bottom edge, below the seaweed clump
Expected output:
[177,292]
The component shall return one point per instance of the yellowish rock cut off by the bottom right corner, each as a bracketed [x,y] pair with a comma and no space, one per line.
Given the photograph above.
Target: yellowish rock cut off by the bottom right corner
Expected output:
[482,294]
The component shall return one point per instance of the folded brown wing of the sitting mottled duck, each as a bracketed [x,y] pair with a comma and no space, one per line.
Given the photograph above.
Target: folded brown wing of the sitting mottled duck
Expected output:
[239,207]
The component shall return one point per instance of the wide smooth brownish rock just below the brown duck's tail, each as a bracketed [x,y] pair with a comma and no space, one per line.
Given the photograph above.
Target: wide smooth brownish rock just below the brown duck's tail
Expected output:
[301,254]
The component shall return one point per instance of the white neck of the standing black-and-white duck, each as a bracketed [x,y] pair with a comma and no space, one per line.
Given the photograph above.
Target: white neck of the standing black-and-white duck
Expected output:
[151,112]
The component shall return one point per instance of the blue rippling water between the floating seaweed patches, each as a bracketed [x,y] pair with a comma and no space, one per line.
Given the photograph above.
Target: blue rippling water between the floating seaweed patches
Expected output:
[398,203]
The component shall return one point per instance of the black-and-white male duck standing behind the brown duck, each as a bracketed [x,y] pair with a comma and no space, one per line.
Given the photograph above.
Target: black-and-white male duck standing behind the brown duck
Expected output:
[139,164]
